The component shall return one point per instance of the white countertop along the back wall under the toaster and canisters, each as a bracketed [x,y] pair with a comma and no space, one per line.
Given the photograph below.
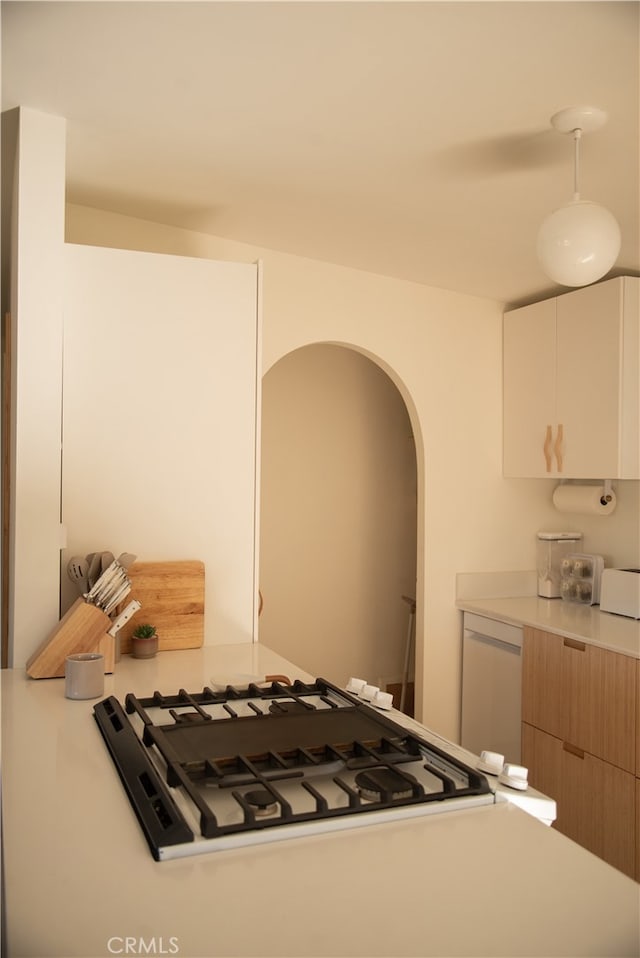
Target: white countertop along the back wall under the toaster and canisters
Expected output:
[587,623]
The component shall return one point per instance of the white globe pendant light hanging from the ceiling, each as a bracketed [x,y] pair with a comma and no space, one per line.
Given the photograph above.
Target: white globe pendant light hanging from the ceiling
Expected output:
[579,242]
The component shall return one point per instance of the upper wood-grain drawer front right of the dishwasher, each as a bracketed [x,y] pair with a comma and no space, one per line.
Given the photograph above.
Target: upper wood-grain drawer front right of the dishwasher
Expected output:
[582,694]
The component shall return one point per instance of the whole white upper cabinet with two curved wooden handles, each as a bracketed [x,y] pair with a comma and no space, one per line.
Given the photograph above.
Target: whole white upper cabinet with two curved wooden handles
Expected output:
[571,394]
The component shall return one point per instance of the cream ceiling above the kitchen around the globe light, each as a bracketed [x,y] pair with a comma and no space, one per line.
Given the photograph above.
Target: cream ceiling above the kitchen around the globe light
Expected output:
[409,139]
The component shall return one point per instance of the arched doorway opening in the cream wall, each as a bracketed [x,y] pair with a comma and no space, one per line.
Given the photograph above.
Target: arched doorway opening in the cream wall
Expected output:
[338,515]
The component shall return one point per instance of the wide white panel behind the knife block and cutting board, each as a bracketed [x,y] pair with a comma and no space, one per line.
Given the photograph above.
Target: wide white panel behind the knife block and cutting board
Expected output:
[159,419]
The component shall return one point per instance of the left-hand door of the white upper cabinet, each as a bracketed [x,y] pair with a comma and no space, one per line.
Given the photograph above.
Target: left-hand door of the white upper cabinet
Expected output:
[529,387]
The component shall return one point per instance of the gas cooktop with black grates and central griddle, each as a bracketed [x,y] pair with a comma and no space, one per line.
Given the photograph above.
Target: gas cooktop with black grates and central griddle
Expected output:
[244,765]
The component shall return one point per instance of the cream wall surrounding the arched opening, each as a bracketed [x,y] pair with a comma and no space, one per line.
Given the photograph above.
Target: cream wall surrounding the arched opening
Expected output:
[443,350]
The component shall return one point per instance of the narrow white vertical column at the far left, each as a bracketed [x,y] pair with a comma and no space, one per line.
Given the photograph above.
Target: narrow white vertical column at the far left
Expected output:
[37,249]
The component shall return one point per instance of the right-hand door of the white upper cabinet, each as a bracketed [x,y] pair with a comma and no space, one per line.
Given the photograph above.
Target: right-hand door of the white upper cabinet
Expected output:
[589,343]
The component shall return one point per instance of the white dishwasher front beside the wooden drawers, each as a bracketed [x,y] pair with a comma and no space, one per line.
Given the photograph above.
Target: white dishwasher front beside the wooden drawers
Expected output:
[491,686]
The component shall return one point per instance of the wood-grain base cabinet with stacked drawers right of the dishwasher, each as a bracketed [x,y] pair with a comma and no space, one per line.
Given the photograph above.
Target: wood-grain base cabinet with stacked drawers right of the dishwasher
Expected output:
[579,742]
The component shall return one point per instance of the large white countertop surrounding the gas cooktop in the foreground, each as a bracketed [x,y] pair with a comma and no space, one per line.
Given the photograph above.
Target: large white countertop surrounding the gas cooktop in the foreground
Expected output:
[79,878]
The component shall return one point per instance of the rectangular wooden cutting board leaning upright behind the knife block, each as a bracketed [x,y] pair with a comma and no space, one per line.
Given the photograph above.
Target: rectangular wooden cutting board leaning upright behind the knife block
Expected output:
[172,599]
